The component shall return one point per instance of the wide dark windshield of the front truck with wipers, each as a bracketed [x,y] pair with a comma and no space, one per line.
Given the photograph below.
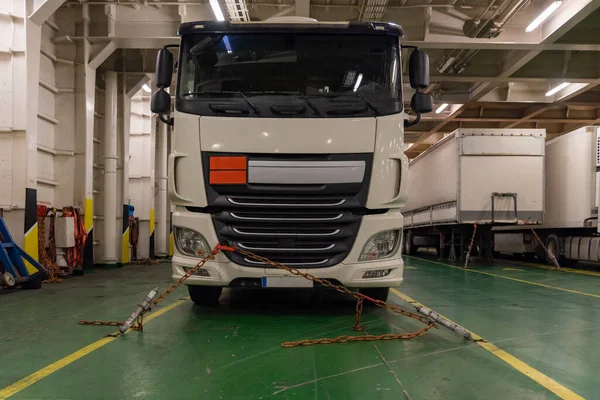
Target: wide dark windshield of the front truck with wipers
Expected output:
[289,74]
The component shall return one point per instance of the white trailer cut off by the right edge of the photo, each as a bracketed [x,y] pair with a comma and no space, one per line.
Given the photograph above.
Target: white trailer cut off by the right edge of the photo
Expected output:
[572,196]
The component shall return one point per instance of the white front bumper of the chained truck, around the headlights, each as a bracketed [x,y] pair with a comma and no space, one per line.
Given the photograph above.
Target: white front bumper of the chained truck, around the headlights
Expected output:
[349,272]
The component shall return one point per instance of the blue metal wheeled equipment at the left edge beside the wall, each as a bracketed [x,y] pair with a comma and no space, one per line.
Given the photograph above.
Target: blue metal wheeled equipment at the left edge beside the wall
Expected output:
[13,270]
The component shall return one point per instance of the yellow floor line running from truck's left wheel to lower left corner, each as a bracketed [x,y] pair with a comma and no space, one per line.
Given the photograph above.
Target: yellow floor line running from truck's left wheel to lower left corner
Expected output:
[63,362]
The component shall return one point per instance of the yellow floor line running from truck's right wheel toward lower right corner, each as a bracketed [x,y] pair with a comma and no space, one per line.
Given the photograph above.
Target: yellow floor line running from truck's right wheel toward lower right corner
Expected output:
[524,368]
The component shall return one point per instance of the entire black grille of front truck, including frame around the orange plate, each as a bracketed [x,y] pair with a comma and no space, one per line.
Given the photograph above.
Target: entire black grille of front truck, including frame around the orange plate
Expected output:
[305,225]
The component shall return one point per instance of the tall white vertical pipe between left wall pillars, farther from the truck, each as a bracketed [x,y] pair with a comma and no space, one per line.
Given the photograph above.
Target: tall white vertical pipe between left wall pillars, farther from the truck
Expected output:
[110,239]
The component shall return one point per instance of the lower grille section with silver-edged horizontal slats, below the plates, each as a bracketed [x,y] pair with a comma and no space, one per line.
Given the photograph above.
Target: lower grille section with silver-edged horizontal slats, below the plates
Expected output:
[292,235]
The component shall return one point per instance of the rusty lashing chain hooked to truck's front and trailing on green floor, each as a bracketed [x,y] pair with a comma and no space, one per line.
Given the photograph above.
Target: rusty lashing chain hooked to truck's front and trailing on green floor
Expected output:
[360,298]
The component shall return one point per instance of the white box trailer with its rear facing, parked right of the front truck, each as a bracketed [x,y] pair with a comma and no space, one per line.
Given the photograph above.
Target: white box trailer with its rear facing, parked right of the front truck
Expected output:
[487,177]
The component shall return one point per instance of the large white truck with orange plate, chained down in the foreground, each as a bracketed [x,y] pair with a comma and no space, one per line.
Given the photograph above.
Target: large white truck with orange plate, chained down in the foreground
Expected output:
[288,143]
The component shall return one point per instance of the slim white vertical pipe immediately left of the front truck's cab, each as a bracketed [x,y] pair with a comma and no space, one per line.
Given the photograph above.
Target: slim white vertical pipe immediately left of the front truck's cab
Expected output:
[162,214]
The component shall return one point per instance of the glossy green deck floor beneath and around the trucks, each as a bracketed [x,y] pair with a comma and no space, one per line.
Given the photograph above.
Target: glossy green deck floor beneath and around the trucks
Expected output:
[234,352]
